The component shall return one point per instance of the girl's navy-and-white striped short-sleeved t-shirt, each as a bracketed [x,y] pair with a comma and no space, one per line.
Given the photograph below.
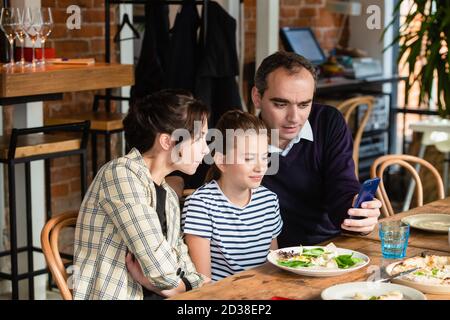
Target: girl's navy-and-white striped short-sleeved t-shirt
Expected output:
[240,238]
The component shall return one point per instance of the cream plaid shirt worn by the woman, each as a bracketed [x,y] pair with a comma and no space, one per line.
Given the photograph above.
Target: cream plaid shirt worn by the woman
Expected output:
[118,212]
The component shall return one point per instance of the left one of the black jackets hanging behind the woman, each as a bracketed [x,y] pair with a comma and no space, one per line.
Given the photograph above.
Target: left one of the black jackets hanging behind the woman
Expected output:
[168,57]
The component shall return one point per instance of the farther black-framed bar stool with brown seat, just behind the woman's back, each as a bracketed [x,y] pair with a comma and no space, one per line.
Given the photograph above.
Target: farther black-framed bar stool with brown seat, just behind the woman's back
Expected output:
[102,122]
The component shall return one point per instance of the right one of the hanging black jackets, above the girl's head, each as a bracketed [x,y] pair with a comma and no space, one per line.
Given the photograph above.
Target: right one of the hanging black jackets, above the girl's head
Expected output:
[218,67]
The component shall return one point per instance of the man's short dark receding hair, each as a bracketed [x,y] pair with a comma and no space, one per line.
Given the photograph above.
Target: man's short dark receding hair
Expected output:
[290,61]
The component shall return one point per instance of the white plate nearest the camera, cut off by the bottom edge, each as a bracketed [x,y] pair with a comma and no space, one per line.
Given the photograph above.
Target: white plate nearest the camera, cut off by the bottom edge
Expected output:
[346,291]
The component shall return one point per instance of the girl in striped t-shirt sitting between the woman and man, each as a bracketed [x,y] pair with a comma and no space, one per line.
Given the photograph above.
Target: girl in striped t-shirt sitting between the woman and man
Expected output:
[232,222]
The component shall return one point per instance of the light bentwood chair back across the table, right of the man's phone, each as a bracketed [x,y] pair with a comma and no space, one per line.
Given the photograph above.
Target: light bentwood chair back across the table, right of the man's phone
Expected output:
[380,164]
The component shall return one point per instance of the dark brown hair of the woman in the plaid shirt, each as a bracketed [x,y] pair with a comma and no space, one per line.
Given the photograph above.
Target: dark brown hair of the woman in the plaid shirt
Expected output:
[161,112]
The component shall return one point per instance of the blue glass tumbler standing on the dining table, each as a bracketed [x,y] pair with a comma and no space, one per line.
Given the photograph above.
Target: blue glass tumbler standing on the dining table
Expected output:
[394,237]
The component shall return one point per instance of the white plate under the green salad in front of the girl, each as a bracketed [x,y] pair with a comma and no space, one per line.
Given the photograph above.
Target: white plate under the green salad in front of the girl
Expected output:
[272,257]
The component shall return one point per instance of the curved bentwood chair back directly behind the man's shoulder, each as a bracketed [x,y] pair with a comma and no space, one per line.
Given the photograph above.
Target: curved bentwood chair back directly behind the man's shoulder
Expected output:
[347,107]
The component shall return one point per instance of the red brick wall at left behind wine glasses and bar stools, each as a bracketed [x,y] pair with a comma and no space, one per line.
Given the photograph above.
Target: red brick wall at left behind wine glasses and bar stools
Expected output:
[86,42]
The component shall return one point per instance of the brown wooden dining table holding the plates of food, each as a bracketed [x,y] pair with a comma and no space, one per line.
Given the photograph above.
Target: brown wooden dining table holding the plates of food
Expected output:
[268,281]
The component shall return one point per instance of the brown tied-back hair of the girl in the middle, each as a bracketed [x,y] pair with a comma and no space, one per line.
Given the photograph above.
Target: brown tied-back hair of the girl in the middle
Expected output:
[234,119]
